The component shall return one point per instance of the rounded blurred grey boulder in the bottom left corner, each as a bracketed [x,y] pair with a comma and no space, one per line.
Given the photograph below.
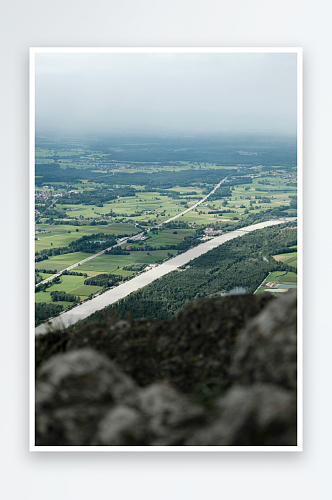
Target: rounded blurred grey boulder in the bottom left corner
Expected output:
[73,392]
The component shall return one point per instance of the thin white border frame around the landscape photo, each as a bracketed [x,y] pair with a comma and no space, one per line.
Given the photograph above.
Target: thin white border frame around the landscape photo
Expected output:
[137,50]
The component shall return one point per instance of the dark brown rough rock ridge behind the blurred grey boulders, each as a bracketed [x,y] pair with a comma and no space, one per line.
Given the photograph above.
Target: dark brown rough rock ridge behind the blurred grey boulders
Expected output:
[195,347]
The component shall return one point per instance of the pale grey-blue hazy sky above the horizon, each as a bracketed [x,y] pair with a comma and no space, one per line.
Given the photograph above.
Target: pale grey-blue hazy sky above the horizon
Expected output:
[162,93]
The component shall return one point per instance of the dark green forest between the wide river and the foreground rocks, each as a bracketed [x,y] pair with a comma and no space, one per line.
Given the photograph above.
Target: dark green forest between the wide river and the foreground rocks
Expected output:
[242,262]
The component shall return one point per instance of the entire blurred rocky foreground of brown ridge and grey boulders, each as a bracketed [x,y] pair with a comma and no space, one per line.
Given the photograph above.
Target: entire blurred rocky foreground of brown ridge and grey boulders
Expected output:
[222,374]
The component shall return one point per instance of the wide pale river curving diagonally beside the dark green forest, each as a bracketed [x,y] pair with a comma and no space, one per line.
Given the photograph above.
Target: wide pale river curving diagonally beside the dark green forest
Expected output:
[111,296]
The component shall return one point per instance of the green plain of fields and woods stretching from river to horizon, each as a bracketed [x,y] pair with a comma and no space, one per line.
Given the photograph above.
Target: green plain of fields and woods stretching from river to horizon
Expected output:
[91,194]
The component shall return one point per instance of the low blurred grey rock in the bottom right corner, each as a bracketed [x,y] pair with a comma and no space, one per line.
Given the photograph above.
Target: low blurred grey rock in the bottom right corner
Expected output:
[262,414]
